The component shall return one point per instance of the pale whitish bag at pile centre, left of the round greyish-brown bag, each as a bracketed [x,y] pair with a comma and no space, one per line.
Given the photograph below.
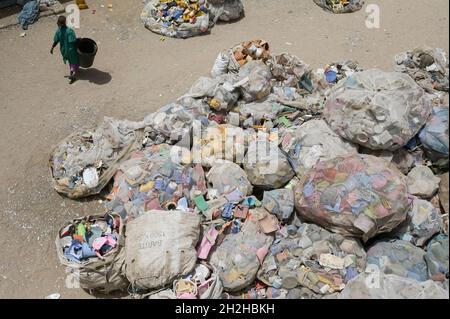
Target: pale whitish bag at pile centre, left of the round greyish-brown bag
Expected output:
[226,177]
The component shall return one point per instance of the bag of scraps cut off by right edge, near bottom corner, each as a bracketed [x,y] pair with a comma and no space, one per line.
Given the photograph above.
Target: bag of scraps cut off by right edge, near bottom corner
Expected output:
[437,258]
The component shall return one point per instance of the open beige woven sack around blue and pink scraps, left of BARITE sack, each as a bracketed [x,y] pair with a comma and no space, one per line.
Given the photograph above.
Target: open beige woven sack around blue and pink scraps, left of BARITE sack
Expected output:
[104,275]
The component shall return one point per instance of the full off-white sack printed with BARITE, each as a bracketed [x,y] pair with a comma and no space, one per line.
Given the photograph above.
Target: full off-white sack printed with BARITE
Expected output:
[160,247]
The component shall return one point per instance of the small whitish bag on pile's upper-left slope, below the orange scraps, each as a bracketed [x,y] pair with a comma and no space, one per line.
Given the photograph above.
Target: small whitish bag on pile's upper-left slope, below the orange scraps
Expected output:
[219,93]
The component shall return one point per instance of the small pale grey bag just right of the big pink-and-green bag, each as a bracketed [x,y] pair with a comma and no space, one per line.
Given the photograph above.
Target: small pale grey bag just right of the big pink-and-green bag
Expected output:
[422,182]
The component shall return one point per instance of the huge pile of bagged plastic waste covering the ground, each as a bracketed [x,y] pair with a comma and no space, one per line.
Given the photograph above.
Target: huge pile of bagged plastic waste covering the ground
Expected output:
[267,179]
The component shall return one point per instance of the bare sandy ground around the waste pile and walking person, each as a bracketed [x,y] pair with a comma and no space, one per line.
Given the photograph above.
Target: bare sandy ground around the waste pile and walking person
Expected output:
[134,74]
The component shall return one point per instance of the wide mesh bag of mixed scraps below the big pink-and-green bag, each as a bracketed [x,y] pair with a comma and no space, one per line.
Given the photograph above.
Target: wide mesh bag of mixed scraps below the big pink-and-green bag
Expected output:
[311,257]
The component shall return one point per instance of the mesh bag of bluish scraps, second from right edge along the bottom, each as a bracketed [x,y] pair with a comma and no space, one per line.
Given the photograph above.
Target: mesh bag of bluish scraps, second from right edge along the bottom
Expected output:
[398,257]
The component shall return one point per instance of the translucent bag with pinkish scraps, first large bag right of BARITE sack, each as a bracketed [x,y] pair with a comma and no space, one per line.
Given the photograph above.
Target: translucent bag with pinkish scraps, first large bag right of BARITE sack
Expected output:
[238,257]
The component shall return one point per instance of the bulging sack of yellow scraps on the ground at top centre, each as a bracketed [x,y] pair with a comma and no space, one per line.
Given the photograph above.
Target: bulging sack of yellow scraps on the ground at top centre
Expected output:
[152,13]
